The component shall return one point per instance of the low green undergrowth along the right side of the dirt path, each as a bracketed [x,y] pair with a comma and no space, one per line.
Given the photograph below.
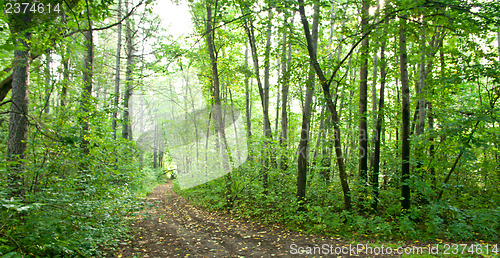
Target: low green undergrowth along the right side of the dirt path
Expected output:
[448,220]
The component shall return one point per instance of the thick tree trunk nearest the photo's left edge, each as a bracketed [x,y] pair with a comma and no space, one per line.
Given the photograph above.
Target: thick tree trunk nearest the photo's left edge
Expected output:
[18,124]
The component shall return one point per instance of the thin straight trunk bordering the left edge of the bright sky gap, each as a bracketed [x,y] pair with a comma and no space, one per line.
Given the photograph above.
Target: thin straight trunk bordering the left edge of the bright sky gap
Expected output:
[126,126]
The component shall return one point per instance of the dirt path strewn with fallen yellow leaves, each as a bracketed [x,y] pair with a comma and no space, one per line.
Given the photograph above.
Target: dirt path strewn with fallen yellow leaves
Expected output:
[174,228]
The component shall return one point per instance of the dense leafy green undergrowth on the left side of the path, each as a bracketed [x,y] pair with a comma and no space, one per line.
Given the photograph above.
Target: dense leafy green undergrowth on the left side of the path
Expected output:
[74,205]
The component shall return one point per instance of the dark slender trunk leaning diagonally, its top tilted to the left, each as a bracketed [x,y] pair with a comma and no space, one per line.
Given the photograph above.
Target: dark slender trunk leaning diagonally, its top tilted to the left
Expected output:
[325,85]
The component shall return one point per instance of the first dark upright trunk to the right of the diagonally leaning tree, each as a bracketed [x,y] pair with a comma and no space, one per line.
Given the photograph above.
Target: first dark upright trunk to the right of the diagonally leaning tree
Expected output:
[363,95]
